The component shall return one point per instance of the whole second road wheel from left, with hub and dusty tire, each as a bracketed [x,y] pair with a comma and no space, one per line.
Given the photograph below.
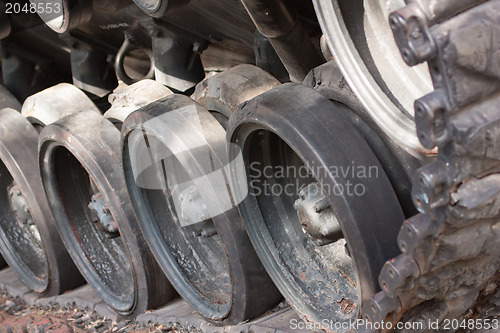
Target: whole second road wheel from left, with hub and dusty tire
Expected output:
[83,178]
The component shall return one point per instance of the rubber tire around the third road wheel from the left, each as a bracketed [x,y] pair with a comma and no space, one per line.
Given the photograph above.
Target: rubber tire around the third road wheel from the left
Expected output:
[252,292]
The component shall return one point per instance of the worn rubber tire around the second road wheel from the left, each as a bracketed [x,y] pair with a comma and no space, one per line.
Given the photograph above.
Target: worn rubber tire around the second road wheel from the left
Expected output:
[95,142]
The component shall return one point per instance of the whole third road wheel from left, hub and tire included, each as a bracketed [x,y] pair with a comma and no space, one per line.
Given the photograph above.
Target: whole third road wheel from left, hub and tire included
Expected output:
[174,156]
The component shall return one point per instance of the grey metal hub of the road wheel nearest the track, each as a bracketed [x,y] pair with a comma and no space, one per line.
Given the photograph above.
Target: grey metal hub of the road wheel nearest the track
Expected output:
[316,215]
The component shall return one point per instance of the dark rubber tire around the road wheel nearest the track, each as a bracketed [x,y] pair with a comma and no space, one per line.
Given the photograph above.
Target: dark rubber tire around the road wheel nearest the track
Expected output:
[310,124]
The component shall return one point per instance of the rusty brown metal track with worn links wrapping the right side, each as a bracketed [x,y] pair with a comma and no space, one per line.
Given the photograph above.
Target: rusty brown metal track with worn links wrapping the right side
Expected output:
[450,259]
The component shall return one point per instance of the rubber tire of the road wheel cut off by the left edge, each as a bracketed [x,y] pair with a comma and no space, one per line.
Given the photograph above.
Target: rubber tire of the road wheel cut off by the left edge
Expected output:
[19,153]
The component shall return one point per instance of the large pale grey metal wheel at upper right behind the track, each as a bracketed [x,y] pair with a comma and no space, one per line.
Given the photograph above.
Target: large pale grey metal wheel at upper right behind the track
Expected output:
[362,44]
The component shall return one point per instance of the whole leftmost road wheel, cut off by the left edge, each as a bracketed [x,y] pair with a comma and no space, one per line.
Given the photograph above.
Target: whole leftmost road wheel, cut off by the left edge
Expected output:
[29,240]
